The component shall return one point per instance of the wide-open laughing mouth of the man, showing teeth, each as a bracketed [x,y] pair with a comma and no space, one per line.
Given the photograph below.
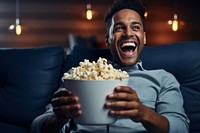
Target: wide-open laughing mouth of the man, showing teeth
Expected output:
[128,48]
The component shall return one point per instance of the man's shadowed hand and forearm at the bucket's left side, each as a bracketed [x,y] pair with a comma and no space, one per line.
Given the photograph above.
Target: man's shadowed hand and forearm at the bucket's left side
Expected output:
[65,107]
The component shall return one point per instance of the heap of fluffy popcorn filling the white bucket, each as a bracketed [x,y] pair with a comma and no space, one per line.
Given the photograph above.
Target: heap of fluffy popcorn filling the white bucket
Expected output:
[99,70]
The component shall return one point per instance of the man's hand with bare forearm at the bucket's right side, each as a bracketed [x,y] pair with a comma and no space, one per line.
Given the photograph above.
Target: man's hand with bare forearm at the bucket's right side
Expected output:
[125,102]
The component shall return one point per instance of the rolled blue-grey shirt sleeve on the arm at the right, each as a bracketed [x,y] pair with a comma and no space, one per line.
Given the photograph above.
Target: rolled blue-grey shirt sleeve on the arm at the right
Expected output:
[170,104]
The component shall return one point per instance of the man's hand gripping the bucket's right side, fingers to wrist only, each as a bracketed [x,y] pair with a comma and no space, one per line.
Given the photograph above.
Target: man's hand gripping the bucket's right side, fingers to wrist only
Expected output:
[124,102]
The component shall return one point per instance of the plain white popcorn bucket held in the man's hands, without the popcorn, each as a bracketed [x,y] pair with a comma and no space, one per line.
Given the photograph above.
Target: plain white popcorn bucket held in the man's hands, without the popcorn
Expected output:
[92,96]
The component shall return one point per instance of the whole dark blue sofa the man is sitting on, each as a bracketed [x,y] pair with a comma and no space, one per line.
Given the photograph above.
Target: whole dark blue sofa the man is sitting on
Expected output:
[29,76]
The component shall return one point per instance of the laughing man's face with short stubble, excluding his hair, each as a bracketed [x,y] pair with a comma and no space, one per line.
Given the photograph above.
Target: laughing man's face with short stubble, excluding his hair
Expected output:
[126,37]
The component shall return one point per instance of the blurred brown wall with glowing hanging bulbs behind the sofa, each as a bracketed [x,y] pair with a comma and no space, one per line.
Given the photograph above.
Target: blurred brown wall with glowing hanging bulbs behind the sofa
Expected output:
[62,22]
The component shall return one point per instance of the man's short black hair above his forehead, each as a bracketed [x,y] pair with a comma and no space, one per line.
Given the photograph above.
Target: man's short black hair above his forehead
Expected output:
[135,5]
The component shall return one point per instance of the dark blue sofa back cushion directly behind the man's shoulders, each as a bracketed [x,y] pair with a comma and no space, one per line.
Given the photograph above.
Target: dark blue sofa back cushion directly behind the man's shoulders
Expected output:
[181,59]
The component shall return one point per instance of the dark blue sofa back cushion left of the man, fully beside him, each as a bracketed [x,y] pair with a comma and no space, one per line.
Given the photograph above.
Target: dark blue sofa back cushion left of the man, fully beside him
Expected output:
[28,77]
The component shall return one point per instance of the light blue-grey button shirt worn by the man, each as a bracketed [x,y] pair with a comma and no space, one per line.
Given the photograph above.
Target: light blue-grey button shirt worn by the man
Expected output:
[157,89]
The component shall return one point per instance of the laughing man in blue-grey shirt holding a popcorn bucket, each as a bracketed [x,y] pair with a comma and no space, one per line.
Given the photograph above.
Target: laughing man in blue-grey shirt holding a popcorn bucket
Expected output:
[152,102]
